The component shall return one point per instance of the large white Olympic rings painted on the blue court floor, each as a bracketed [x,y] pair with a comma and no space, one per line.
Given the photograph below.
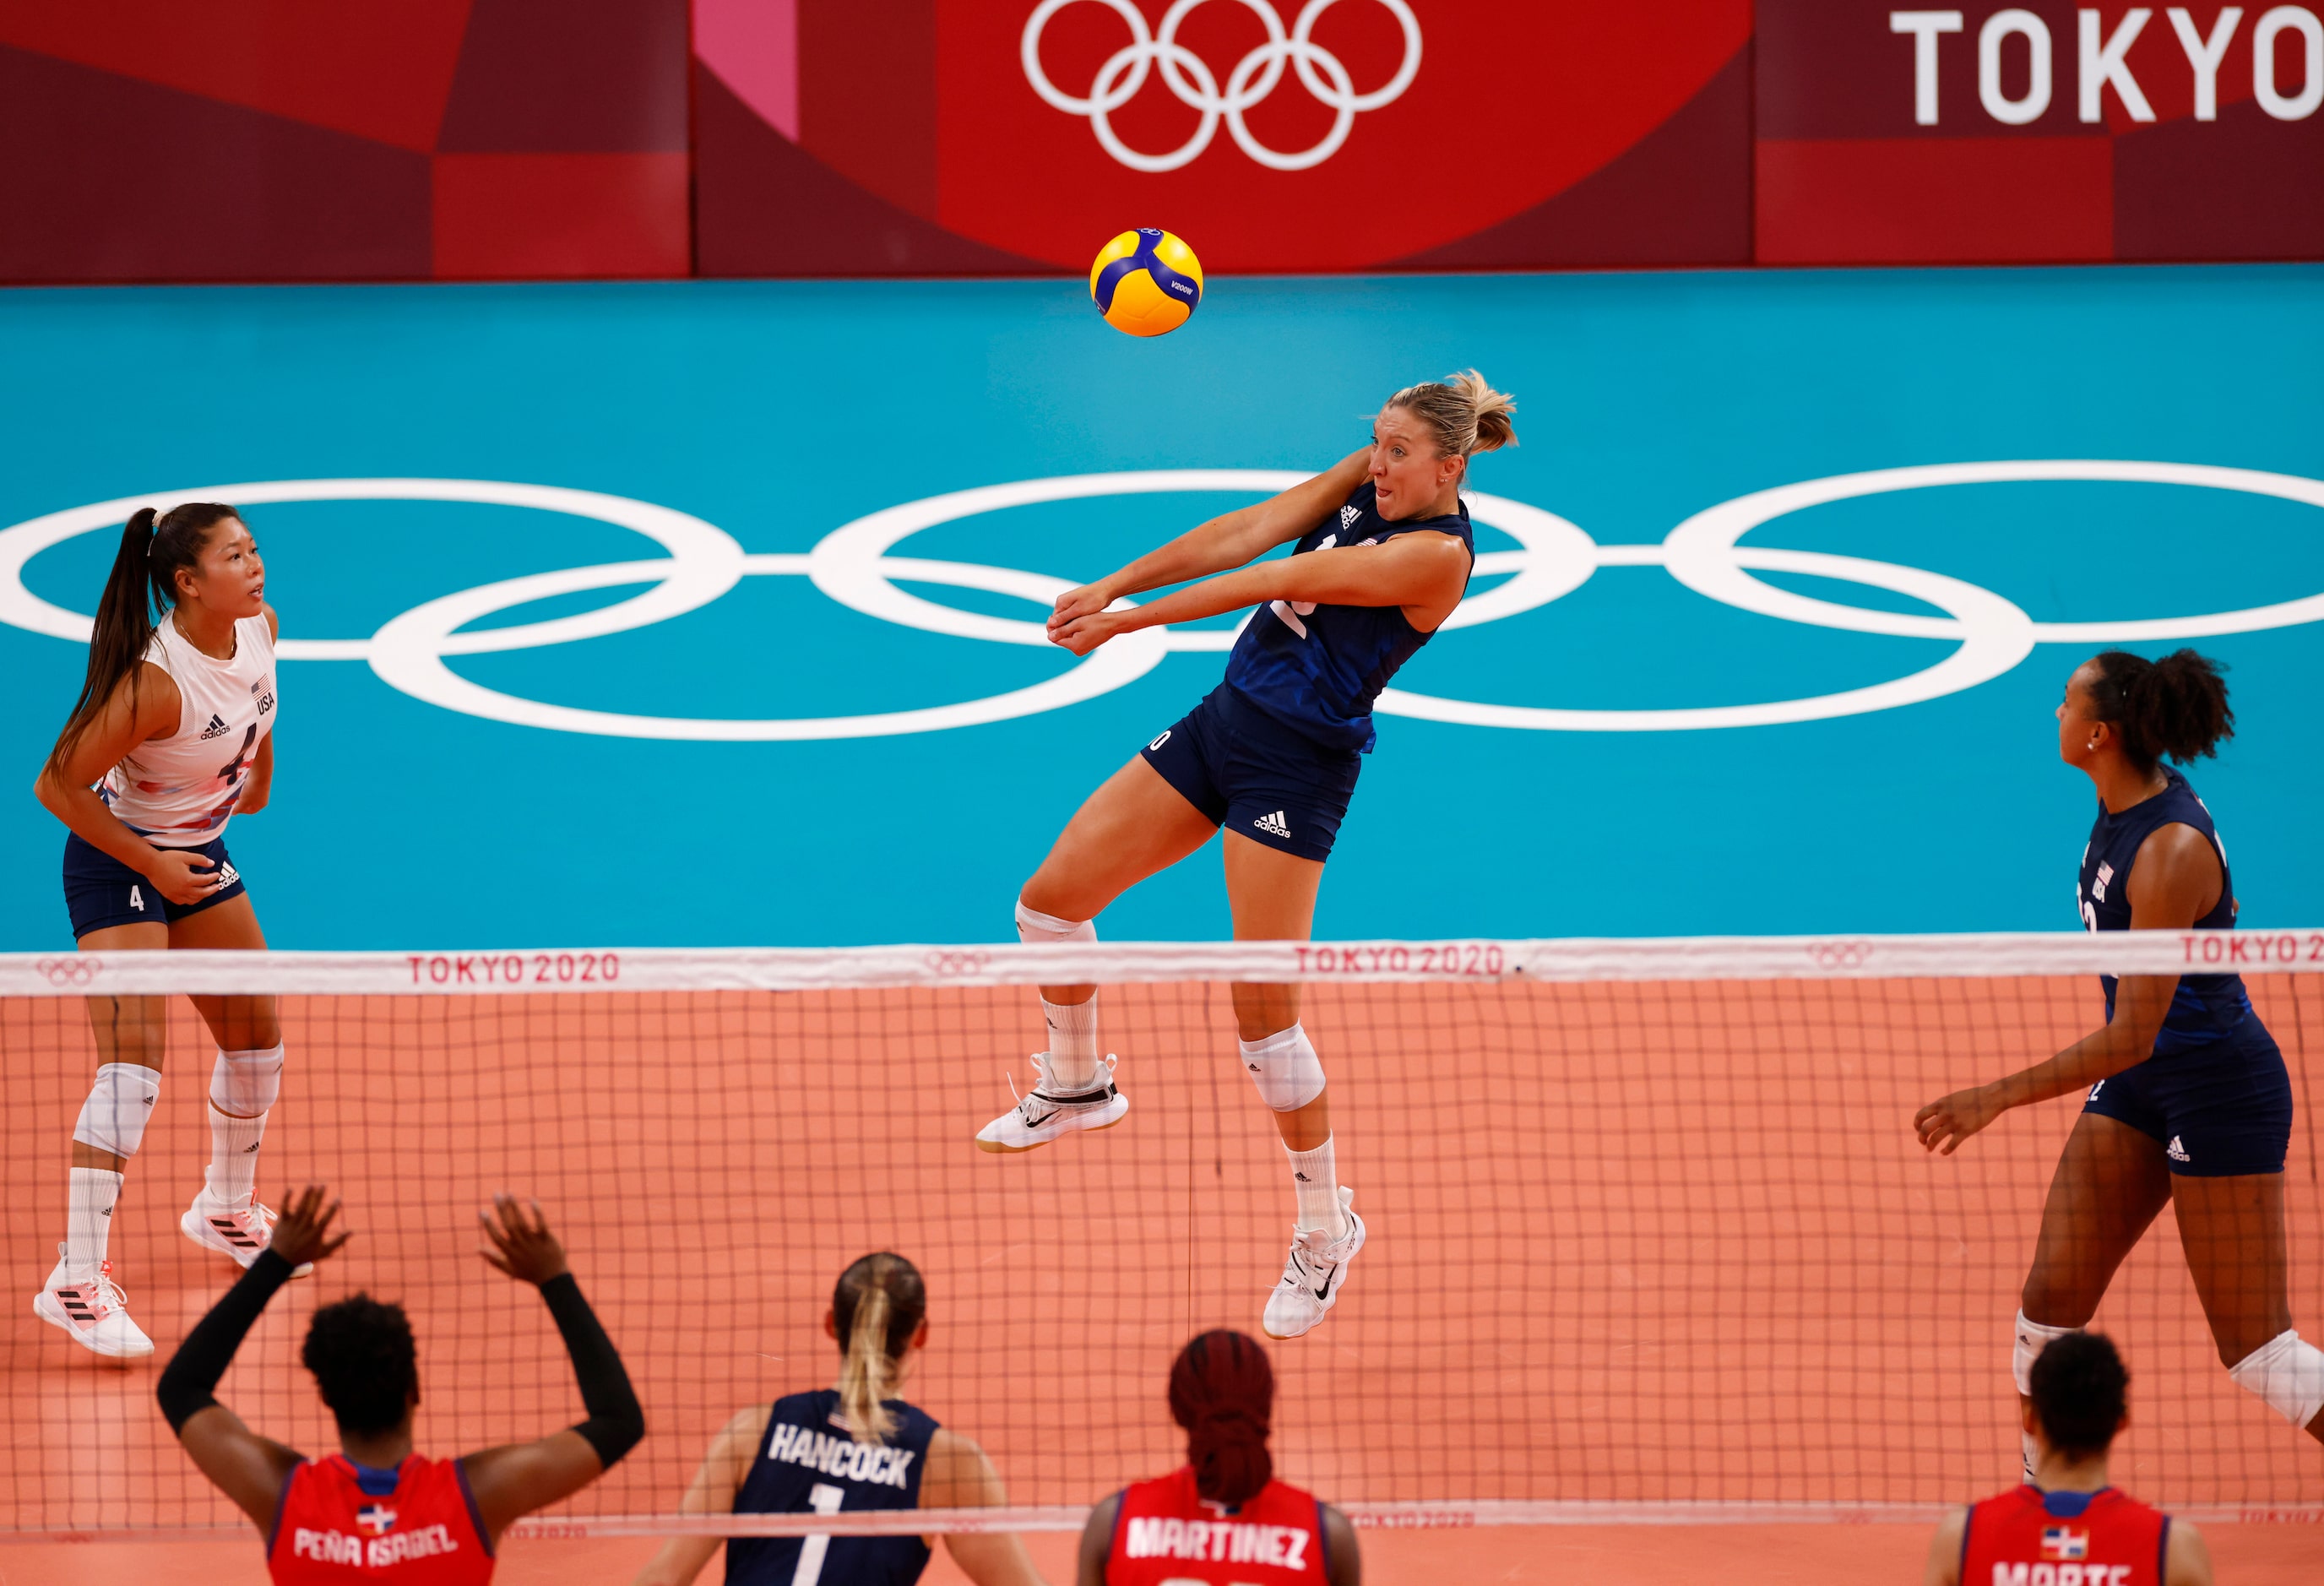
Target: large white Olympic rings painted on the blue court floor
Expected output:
[854,566]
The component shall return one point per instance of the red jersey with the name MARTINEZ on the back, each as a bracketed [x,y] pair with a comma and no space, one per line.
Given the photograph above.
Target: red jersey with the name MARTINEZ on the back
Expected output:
[1168,1534]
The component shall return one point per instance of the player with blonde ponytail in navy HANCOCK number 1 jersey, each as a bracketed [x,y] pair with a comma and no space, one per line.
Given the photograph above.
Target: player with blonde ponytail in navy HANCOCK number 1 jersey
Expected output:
[847,1450]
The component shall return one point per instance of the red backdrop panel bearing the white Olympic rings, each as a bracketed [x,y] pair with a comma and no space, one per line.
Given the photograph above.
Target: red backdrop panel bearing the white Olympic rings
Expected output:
[1423,134]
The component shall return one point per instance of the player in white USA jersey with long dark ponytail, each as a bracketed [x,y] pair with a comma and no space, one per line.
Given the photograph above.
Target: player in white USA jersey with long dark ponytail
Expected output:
[171,738]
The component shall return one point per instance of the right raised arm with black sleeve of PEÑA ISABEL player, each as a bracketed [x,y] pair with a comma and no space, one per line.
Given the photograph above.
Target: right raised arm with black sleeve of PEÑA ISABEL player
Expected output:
[519,1478]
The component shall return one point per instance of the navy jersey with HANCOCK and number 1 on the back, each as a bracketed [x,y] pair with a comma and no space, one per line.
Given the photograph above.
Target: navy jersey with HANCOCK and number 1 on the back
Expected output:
[810,1464]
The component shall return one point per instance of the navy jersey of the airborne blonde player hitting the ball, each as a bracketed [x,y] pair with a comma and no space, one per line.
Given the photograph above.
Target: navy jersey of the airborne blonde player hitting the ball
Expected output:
[1317,669]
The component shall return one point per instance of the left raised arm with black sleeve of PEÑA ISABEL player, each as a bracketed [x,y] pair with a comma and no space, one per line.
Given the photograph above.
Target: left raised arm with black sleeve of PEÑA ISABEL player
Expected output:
[243,1464]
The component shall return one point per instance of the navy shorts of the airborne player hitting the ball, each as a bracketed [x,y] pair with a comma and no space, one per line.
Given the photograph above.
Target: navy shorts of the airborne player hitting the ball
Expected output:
[1254,776]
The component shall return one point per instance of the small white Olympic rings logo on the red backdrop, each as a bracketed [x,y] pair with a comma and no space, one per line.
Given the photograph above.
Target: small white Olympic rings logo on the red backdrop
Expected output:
[1196,87]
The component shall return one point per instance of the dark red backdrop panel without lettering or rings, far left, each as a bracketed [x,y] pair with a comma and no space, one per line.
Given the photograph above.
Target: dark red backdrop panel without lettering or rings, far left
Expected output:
[252,141]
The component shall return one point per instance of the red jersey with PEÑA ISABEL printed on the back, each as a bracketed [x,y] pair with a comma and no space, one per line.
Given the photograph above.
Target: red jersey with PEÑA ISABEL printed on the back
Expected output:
[340,1527]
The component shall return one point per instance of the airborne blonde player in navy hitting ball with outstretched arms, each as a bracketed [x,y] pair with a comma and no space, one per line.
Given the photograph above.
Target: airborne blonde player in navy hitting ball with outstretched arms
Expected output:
[1382,557]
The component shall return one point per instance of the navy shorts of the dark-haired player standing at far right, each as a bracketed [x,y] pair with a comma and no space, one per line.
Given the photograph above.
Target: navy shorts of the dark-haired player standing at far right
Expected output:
[2216,1110]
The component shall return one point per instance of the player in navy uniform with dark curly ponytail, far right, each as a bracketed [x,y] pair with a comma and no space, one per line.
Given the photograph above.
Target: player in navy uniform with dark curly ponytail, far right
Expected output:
[2188,1099]
